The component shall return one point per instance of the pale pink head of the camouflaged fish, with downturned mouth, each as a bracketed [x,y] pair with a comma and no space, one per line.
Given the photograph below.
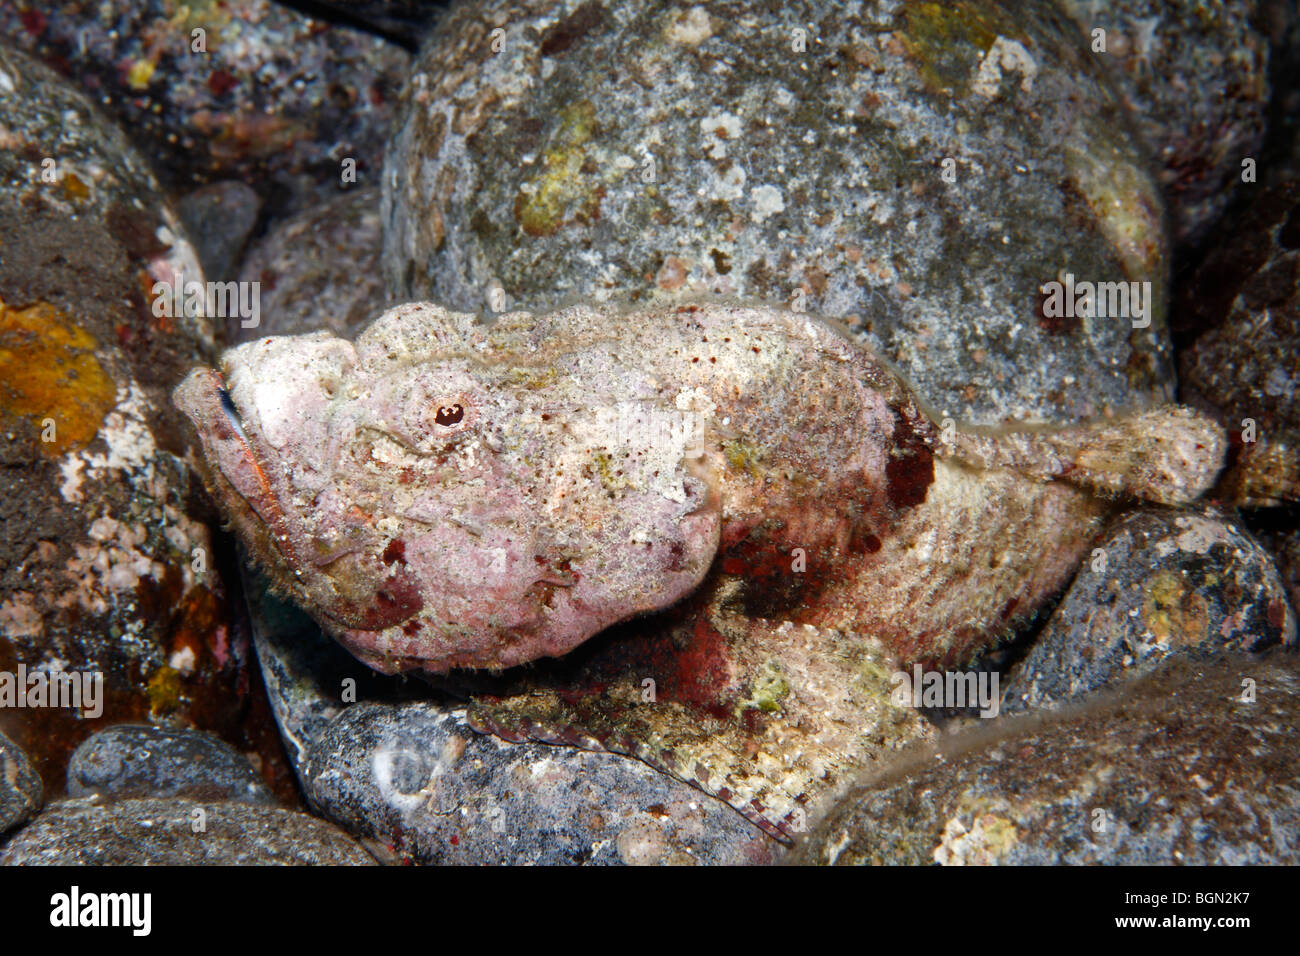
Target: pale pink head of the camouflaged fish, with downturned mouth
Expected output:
[441,495]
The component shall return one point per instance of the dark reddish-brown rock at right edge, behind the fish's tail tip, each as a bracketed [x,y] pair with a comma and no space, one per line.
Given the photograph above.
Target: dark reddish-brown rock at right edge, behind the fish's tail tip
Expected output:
[1246,365]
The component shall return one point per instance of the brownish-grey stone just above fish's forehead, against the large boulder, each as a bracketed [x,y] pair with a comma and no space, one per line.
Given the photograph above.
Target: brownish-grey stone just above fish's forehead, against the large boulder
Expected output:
[319,270]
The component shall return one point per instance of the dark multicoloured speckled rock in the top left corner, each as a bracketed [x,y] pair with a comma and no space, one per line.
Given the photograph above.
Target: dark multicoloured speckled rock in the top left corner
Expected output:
[275,100]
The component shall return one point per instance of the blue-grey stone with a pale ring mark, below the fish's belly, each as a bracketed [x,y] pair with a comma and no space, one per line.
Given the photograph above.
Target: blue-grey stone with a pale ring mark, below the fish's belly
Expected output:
[418,778]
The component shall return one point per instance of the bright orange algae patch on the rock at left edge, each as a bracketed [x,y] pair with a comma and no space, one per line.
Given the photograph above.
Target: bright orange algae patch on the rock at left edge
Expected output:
[49,373]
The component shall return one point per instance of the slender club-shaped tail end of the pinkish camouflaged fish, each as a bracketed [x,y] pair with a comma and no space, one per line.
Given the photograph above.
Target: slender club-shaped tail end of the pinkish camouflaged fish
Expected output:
[1169,456]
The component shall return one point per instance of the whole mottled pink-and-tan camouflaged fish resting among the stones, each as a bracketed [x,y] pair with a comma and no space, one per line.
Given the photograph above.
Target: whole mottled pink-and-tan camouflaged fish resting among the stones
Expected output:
[448,495]
